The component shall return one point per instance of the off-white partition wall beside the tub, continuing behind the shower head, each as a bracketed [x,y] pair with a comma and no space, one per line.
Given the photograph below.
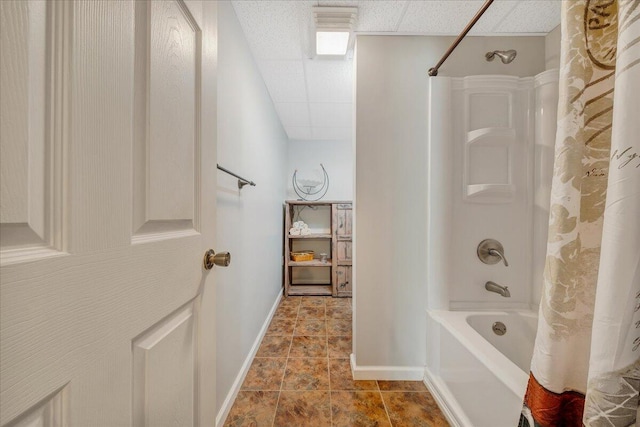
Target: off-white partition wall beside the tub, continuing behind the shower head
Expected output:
[391,182]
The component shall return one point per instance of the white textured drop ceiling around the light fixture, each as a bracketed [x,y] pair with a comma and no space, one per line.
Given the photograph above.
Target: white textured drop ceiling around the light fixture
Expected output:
[313,97]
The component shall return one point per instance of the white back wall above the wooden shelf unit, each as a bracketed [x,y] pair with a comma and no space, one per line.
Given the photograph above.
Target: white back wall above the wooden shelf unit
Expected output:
[337,158]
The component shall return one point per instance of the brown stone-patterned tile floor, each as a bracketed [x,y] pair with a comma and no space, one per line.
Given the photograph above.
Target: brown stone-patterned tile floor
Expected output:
[301,376]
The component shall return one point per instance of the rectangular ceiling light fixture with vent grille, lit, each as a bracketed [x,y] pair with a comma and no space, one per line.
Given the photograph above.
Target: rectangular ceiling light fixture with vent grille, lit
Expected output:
[334,30]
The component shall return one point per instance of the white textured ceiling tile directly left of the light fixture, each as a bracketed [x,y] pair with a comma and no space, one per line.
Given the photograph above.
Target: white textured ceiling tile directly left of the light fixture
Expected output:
[275,29]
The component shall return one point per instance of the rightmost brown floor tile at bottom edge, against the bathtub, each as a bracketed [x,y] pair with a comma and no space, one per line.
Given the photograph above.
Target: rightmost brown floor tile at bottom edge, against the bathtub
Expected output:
[413,409]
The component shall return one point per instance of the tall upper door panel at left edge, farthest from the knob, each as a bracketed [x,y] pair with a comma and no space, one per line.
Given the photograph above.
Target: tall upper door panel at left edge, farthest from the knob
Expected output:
[26,164]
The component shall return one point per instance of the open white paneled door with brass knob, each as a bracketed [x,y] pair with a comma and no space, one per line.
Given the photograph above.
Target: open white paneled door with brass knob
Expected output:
[108,154]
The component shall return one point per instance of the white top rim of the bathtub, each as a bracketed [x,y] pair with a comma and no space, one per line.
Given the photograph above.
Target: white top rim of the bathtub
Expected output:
[505,370]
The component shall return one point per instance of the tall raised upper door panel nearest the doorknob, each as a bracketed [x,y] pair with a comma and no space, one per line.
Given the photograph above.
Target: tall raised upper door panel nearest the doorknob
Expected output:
[168,137]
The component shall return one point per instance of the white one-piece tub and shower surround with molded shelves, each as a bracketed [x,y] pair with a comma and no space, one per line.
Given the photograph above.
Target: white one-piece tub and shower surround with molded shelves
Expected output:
[490,160]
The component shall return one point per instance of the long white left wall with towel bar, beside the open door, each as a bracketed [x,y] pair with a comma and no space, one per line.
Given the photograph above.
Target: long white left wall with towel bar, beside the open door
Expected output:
[252,143]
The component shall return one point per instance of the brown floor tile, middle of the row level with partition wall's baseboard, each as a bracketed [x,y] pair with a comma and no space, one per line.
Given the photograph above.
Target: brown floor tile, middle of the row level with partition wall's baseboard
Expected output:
[306,374]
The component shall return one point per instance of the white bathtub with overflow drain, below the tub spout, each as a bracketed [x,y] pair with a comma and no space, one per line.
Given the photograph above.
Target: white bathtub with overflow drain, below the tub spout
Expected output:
[479,378]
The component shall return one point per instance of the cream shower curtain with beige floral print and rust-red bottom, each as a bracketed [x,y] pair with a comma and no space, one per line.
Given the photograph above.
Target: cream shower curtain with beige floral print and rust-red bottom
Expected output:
[586,362]
